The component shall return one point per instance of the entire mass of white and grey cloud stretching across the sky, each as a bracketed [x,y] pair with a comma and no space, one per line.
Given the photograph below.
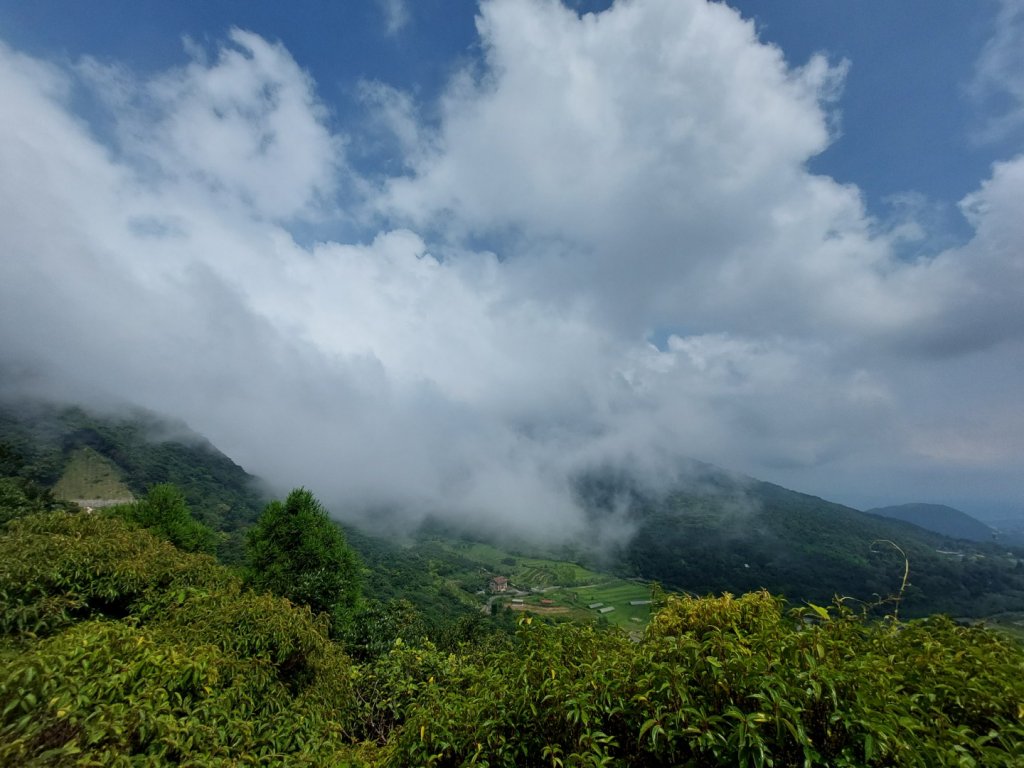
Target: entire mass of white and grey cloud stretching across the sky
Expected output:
[639,173]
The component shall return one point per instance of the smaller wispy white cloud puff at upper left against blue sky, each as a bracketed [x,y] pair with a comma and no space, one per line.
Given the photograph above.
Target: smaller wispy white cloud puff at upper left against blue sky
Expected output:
[246,130]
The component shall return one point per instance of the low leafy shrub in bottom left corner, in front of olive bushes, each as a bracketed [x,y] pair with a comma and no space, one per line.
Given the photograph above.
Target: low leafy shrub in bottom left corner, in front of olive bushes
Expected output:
[107,694]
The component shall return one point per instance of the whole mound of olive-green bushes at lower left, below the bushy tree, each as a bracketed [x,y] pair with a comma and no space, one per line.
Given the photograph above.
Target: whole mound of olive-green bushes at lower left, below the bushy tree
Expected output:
[189,669]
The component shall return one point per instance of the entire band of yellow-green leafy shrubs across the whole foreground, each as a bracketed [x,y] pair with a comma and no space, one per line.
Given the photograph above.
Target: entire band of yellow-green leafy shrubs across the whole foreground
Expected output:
[120,650]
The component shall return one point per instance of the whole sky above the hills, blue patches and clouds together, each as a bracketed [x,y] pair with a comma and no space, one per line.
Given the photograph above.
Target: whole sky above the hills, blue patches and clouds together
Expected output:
[497,243]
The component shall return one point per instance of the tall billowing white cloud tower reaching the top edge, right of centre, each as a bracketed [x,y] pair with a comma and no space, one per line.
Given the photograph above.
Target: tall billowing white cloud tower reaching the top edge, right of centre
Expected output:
[653,158]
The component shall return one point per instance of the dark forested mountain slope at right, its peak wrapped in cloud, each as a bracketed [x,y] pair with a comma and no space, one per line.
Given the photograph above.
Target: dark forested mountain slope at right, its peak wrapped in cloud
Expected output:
[724,533]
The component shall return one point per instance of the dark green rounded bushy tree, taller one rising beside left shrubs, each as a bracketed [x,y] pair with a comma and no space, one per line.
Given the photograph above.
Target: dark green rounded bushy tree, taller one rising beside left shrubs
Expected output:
[294,550]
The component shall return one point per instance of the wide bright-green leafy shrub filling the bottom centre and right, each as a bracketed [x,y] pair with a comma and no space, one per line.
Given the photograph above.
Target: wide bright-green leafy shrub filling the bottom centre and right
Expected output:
[730,682]
